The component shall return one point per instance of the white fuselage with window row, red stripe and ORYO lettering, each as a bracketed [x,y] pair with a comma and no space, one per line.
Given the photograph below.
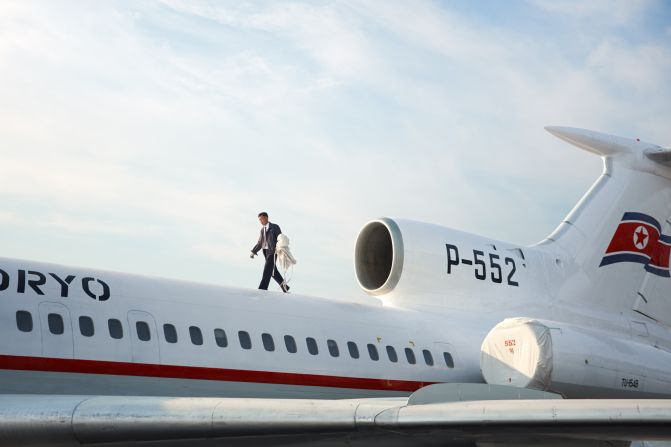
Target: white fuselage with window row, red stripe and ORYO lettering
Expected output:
[41,361]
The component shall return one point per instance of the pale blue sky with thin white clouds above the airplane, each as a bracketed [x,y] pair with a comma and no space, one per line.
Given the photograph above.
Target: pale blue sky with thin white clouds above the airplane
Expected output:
[146,136]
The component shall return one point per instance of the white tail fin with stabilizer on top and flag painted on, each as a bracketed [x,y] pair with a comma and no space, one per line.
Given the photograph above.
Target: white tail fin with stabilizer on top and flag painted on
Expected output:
[619,234]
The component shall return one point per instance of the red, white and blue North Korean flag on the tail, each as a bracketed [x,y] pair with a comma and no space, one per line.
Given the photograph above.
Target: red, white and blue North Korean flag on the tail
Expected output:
[639,238]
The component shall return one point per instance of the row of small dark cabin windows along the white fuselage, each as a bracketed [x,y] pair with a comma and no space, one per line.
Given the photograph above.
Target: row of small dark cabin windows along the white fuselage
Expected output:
[24,322]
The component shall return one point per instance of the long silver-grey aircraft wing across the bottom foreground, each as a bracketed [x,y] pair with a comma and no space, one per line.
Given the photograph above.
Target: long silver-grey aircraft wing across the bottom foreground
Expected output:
[33,420]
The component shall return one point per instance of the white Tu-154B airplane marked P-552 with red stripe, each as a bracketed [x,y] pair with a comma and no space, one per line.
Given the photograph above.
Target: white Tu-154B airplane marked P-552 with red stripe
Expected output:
[465,340]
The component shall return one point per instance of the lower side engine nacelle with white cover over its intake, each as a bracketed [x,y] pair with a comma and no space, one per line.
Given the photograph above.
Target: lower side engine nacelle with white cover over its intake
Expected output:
[577,362]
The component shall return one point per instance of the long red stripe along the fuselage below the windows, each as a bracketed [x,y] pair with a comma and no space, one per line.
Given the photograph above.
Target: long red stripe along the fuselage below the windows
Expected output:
[50,364]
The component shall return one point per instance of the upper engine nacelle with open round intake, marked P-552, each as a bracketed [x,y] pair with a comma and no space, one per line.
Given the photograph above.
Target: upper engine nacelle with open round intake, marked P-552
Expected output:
[421,260]
